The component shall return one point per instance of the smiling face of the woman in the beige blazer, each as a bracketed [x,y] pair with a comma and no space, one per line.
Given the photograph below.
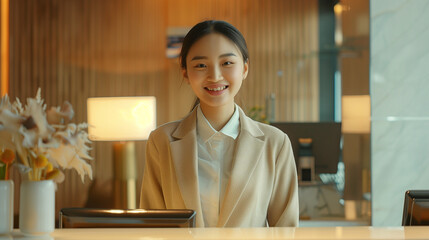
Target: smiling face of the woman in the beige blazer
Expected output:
[215,70]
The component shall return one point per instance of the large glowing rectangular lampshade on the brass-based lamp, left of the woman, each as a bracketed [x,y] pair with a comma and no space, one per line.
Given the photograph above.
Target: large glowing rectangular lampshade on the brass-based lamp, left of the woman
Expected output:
[121,118]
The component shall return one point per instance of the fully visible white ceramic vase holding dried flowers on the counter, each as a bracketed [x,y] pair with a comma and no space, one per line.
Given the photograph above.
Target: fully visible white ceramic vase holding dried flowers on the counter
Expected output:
[37,208]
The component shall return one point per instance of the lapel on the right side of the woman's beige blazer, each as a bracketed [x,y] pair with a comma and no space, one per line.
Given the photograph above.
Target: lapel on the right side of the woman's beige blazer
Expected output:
[246,157]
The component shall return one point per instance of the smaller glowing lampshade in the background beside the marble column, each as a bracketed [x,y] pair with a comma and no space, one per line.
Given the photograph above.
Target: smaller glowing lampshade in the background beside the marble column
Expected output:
[356,114]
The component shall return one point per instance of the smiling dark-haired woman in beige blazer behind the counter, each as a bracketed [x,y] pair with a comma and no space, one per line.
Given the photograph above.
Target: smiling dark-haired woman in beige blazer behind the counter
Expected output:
[233,171]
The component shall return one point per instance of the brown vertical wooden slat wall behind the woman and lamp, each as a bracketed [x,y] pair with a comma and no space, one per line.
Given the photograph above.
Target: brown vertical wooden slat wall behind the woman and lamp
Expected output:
[88,48]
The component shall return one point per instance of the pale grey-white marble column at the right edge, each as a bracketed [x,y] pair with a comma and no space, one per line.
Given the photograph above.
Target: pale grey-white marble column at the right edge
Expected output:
[399,89]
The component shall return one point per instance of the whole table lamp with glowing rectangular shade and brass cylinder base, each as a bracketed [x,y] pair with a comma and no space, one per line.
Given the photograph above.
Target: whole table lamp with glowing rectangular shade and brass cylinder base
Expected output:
[122,120]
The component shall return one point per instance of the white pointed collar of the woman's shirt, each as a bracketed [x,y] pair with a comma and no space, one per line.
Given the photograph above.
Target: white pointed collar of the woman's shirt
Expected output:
[206,131]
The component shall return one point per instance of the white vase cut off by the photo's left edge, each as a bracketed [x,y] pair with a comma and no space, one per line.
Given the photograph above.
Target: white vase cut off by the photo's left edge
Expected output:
[6,206]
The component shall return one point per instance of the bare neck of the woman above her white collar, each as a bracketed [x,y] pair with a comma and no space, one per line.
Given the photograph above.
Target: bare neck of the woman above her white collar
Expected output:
[218,117]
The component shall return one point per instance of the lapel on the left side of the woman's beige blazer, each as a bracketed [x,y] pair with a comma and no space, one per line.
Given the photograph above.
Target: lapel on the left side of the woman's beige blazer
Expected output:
[185,158]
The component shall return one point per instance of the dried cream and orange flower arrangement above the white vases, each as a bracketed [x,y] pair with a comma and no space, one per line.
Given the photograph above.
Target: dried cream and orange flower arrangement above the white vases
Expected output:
[45,142]
